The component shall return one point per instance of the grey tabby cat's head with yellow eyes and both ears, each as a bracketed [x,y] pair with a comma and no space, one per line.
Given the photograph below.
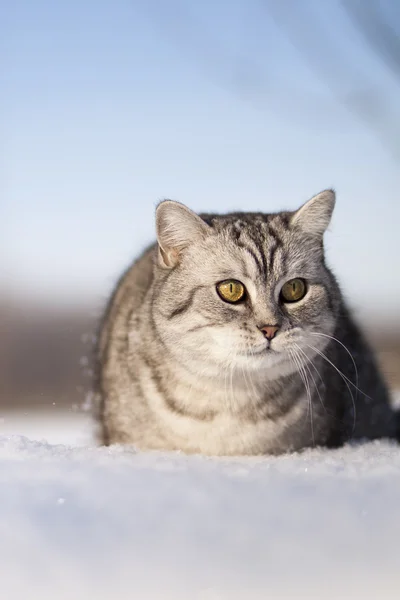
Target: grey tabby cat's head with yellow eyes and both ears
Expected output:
[246,290]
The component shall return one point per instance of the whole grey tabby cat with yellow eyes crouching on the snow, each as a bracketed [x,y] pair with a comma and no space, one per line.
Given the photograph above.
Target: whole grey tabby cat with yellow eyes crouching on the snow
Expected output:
[230,336]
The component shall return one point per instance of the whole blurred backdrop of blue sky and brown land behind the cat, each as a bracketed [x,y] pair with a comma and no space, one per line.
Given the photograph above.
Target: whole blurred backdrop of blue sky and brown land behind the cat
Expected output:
[108,107]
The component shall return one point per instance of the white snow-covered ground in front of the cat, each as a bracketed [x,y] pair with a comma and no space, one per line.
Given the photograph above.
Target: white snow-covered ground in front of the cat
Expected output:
[80,523]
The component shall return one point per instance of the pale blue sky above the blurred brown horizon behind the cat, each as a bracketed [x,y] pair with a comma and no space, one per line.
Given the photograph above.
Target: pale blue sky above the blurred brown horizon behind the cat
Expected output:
[109,107]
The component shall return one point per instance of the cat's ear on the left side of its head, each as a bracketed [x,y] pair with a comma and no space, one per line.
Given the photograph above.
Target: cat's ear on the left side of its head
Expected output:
[177,227]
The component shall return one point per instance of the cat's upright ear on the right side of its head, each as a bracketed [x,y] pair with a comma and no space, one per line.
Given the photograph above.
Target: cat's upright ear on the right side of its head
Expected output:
[315,215]
